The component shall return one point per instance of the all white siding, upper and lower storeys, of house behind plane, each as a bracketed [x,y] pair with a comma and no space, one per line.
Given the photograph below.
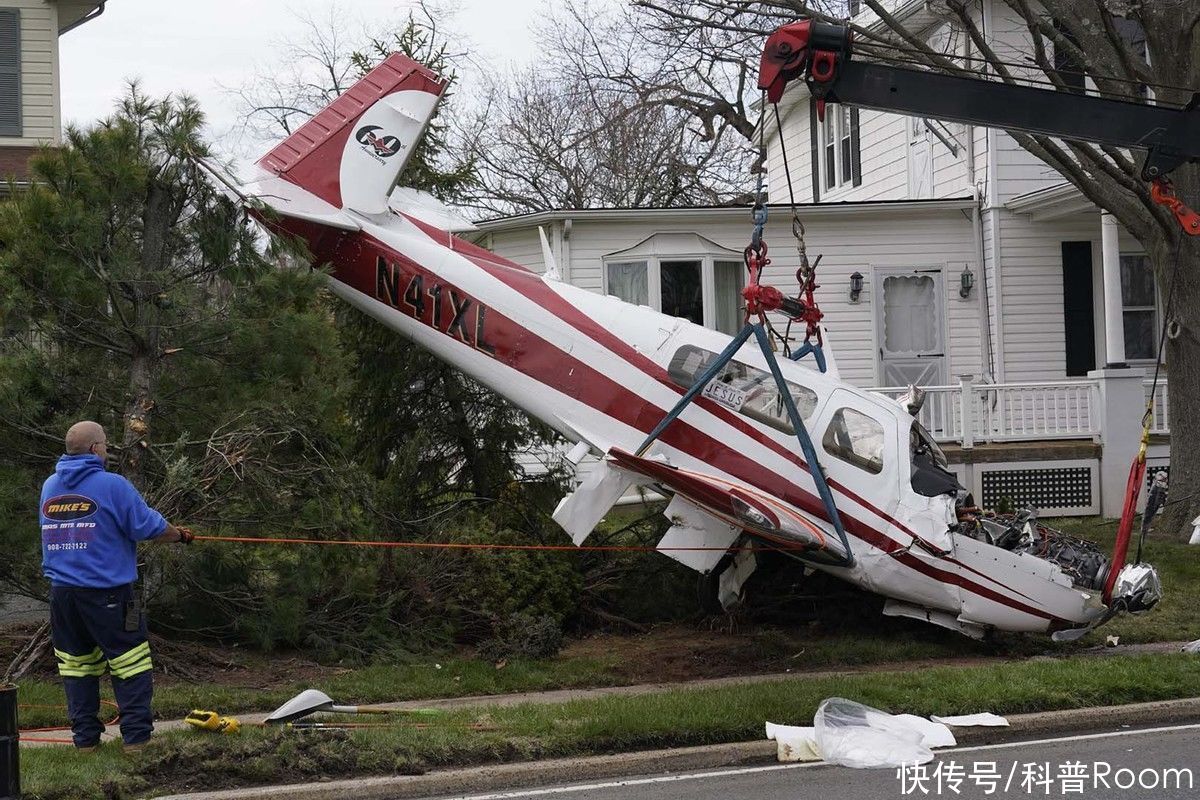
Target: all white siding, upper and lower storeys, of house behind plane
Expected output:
[1023,258]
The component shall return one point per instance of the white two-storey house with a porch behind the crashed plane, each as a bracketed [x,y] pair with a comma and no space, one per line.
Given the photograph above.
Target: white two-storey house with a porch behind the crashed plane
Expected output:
[983,276]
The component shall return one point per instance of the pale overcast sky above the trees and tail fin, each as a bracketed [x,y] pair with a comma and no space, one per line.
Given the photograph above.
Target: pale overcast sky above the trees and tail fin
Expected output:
[203,47]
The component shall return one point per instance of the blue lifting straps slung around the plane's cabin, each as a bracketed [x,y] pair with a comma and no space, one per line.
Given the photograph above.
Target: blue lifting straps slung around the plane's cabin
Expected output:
[802,434]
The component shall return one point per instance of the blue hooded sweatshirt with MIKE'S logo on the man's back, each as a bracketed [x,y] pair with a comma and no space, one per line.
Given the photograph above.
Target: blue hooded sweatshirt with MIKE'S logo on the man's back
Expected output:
[92,524]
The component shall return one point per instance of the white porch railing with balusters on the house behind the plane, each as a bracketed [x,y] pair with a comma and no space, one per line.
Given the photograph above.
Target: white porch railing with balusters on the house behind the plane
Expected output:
[982,413]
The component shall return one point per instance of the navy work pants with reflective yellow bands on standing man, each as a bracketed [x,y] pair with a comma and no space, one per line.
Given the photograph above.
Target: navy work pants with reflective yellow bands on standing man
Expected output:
[92,636]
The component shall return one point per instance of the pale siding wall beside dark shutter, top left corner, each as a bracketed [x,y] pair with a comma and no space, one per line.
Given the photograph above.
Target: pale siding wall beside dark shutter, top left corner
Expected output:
[39,73]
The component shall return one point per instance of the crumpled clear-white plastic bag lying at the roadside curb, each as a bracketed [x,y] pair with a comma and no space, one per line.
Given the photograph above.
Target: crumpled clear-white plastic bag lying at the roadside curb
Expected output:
[857,736]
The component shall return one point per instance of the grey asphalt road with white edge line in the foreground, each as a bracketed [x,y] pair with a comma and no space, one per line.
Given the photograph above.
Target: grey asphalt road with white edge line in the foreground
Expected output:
[1154,765]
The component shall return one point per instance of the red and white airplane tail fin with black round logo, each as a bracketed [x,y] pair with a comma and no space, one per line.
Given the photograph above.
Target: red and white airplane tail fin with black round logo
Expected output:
[351,154]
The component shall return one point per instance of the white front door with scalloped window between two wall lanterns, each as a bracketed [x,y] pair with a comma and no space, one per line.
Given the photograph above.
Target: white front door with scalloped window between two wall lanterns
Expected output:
[910,324]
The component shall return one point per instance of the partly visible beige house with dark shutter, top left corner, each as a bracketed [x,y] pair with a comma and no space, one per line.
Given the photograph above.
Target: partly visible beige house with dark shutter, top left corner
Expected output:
[31,115]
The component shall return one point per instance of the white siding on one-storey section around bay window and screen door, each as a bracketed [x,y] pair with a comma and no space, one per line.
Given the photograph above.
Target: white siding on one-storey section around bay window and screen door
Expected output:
[865,242]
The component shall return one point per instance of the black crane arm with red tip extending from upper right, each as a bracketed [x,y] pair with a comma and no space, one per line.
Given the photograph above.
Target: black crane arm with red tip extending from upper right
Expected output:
[821,55]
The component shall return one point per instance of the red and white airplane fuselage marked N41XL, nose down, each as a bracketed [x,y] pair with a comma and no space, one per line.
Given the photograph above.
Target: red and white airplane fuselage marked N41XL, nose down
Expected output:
[605,372]
